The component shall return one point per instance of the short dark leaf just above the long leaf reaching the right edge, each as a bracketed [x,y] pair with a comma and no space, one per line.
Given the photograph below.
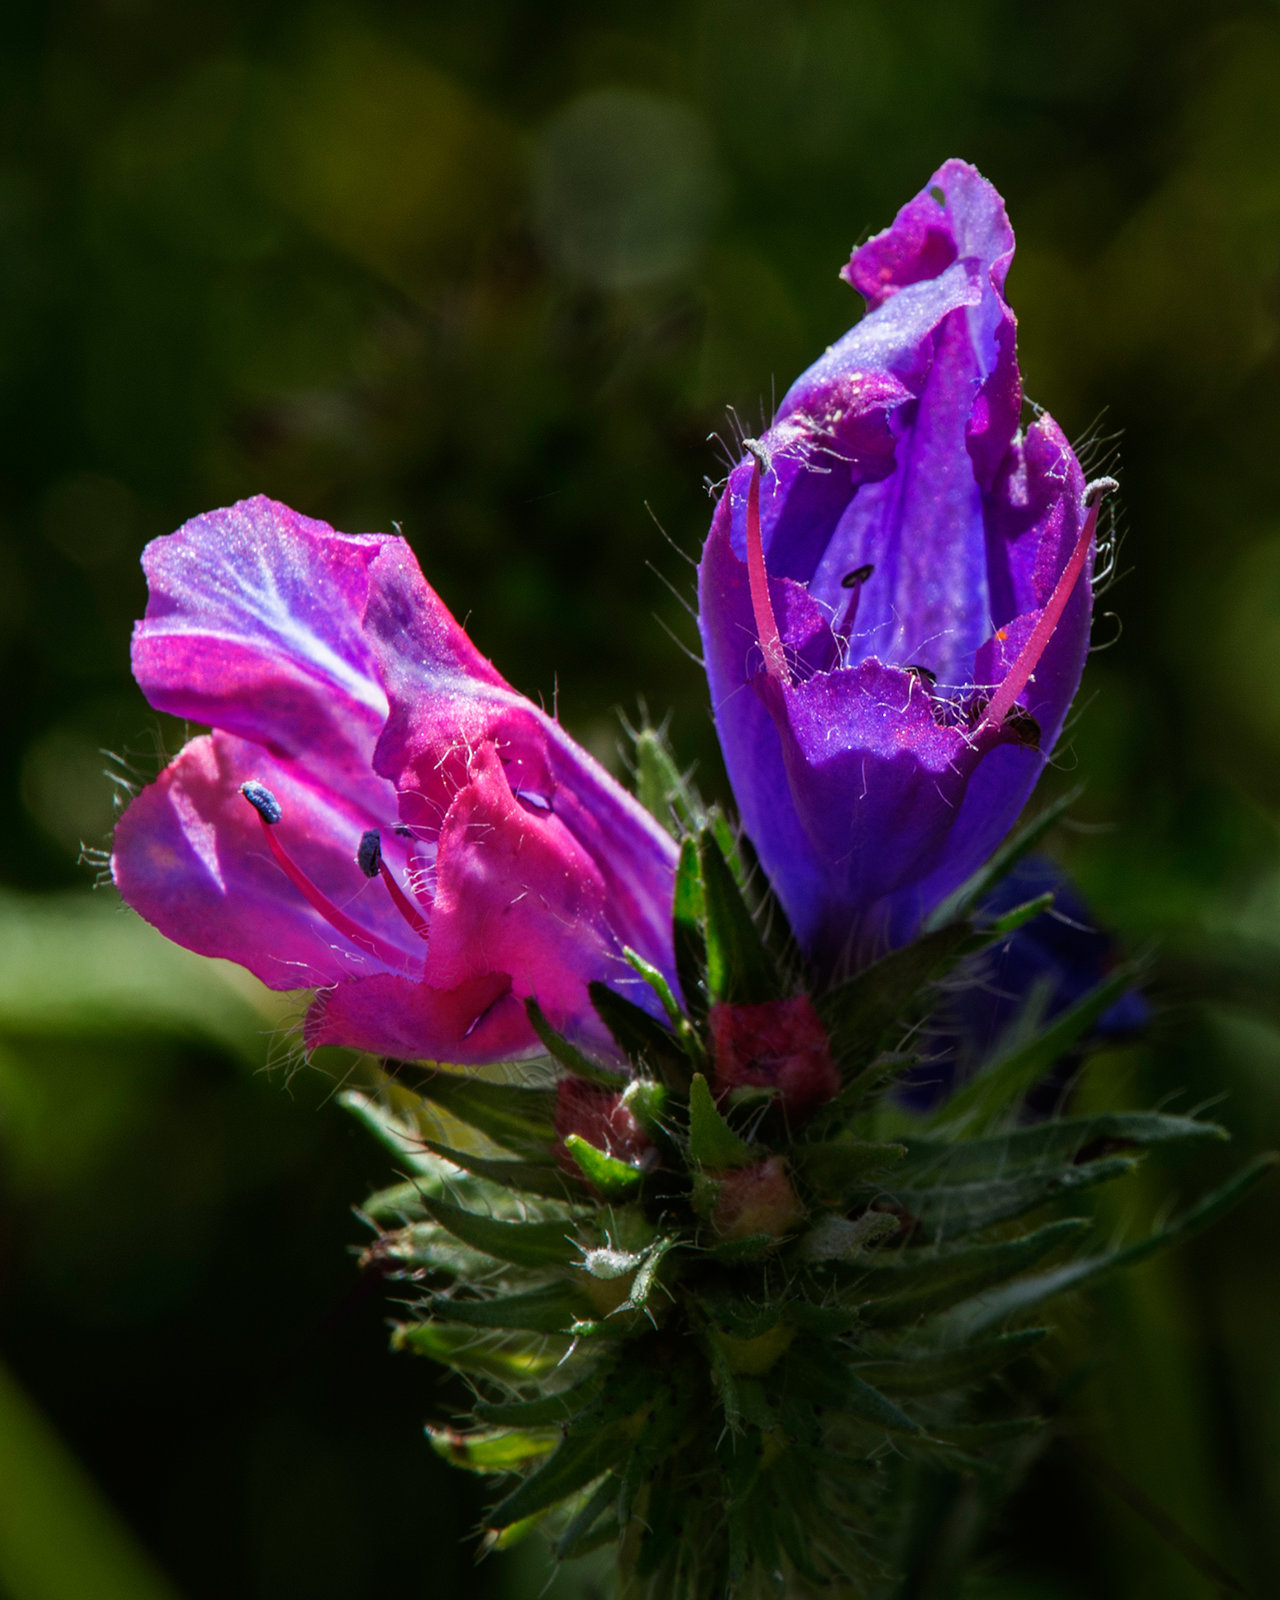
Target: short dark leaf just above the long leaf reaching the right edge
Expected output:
[929,1282]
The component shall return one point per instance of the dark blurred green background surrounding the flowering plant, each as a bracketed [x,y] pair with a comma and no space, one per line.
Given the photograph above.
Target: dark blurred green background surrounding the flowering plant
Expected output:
[494,273]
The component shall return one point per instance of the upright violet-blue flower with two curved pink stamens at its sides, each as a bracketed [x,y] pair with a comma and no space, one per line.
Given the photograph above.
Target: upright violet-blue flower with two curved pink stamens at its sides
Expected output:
[895,596]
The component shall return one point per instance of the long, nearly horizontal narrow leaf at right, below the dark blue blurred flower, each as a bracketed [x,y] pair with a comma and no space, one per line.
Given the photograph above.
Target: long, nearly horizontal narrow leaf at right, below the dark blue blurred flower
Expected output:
[1044,1143]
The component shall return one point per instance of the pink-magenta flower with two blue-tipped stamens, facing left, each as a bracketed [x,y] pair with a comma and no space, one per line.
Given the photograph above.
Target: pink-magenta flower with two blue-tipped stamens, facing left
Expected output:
[377,815]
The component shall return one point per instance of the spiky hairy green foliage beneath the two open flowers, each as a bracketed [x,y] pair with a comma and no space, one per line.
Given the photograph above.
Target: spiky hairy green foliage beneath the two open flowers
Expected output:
[719,1330]
